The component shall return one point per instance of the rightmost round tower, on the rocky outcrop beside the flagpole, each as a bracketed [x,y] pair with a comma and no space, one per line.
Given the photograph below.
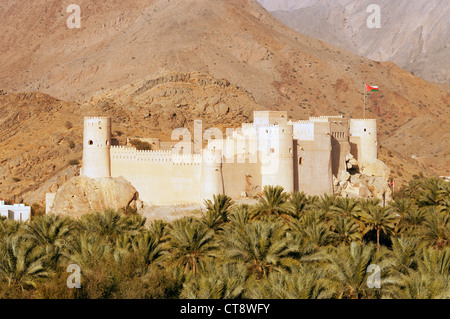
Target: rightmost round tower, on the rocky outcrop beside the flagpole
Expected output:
[363,133]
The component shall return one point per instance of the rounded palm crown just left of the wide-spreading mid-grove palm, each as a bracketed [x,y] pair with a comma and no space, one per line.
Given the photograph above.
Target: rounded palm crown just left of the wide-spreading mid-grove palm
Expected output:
[189,244]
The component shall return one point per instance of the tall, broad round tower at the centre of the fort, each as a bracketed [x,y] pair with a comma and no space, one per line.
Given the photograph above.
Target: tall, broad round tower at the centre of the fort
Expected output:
[277,156]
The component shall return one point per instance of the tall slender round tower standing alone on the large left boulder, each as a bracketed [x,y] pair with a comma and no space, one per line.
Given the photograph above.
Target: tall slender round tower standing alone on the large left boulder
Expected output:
[96,147]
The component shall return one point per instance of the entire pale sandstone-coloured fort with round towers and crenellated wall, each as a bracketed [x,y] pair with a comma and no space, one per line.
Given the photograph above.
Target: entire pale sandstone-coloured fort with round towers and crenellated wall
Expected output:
[273,150]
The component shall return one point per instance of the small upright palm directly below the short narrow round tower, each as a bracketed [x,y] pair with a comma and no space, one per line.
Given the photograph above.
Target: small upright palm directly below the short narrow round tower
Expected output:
[217,211]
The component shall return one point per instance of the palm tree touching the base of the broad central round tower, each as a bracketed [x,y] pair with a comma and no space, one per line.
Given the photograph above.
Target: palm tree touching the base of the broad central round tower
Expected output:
[274,201]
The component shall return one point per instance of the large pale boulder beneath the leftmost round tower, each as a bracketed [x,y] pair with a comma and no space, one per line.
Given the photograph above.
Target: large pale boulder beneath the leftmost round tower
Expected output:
[82,195]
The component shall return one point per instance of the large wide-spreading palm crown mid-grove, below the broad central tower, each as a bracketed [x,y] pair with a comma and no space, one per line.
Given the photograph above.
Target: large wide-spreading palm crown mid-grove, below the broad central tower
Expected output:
[263,247]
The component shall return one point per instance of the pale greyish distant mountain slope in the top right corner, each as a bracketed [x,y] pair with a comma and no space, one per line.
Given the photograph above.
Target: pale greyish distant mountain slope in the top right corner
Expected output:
[413,34]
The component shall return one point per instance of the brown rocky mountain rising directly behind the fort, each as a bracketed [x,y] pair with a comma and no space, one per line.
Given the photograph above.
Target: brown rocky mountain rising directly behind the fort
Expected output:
[156,65]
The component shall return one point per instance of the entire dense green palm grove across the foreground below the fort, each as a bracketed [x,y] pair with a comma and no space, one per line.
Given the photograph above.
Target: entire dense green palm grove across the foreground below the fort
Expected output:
[286,246]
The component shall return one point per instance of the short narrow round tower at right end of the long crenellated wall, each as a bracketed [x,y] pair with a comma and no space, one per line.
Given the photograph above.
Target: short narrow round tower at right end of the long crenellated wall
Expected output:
[212,179]
